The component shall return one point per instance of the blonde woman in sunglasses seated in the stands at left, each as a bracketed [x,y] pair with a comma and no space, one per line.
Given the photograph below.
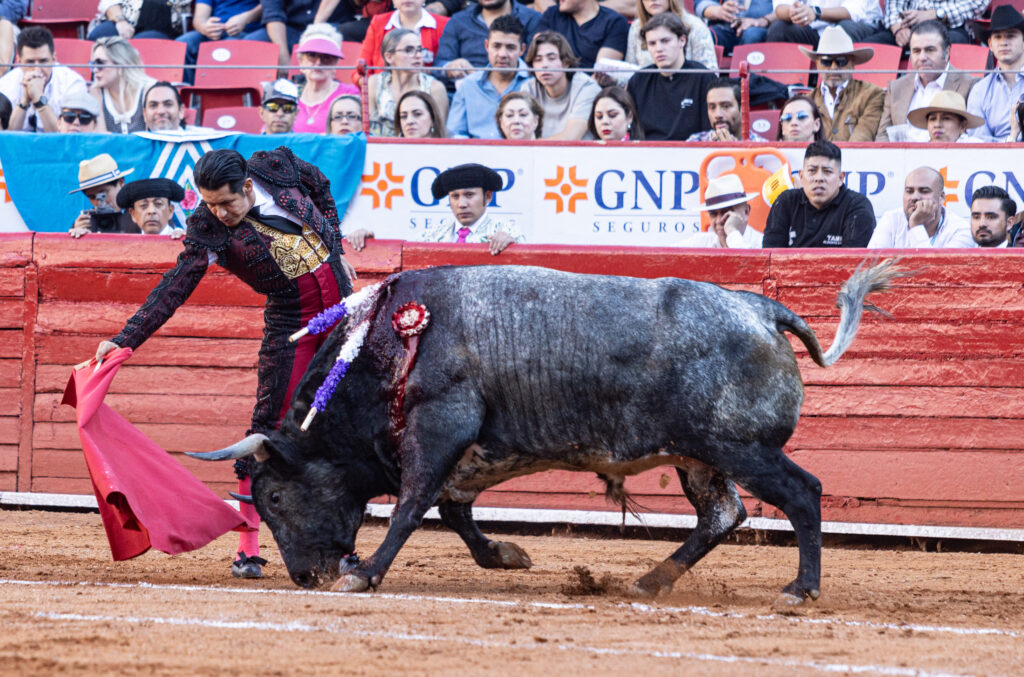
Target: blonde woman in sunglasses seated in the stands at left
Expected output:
[119,91]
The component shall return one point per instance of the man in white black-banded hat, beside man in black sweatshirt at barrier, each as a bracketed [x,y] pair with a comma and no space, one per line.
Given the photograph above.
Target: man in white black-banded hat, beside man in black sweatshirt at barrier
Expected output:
[729,207]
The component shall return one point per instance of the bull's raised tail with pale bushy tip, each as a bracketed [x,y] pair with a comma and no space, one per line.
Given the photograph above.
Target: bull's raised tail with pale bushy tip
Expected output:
[851,304]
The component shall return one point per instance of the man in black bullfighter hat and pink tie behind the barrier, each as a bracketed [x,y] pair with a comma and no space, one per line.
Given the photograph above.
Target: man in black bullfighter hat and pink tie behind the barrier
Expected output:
[470,189]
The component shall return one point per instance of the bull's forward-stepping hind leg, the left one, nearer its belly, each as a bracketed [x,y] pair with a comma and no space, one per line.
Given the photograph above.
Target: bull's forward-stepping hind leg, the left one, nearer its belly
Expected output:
[719,513]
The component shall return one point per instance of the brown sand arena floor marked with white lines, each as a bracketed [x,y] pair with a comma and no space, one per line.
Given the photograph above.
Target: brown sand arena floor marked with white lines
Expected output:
[68,609]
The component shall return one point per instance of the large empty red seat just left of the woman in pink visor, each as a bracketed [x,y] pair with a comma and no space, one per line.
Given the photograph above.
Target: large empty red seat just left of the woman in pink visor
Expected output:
[219,88]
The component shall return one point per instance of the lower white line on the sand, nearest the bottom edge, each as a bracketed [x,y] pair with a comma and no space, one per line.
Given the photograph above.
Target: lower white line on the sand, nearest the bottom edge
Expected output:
[342,629]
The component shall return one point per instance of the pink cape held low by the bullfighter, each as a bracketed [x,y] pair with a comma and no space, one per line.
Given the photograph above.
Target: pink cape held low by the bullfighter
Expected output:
[147,499]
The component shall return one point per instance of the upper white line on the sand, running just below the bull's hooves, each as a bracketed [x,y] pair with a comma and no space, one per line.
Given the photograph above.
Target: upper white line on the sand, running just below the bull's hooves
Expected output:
[507,604]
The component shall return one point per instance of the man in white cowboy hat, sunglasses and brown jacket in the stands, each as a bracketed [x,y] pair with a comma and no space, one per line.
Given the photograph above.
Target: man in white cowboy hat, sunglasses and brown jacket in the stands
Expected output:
[850,109]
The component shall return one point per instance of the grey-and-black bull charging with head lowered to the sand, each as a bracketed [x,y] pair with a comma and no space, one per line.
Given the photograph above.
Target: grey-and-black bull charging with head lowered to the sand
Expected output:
[525,370]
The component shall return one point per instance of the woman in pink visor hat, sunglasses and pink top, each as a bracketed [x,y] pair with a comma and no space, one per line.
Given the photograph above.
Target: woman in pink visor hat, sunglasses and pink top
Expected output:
[319,47]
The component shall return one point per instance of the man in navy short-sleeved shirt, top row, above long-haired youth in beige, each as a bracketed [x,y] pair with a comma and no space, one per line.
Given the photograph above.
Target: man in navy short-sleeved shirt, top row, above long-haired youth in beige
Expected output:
[593,31]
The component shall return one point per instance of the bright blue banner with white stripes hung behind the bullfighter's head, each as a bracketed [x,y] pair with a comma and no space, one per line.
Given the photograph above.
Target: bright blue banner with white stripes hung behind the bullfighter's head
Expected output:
[40,170]
